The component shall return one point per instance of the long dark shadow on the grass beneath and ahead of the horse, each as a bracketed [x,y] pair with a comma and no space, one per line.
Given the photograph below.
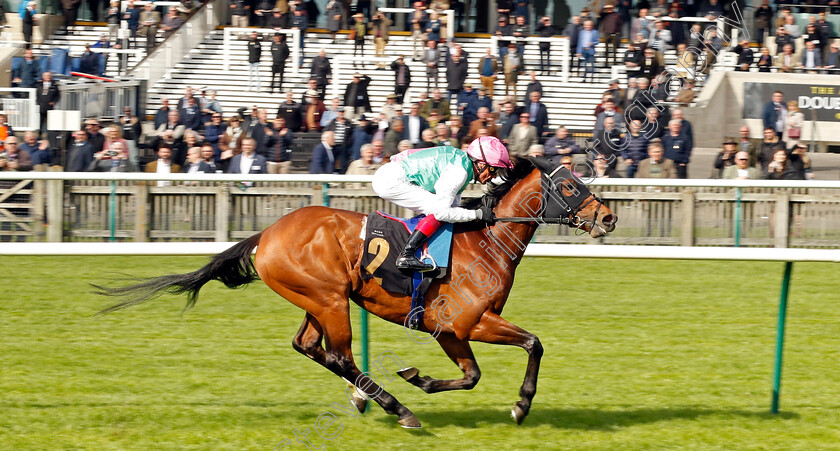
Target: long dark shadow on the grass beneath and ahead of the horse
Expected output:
[585,419]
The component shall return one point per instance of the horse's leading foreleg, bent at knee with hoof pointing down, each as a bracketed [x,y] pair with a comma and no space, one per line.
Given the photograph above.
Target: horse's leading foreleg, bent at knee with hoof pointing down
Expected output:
[493,328]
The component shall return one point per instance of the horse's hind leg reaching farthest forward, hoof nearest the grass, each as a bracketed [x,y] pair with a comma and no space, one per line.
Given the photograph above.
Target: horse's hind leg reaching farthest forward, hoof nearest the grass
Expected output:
[335,323]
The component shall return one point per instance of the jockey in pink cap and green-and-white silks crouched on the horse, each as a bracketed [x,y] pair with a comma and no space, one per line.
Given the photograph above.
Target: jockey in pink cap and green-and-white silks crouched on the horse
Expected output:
[430,181]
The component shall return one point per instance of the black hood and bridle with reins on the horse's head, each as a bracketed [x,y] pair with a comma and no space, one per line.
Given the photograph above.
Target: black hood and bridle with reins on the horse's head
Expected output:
[567,206]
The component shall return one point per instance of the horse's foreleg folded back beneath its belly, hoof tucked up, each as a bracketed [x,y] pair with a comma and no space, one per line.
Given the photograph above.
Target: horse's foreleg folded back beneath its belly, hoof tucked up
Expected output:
[460,353]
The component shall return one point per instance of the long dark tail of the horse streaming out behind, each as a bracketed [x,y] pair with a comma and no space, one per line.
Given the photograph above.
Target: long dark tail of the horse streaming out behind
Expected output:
[232,267]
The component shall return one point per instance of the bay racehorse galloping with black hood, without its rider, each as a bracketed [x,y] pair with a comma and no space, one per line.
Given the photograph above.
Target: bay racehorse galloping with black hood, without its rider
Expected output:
[312,257]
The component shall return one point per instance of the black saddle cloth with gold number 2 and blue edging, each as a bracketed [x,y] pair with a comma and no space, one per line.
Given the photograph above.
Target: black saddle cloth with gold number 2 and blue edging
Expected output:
[385,236]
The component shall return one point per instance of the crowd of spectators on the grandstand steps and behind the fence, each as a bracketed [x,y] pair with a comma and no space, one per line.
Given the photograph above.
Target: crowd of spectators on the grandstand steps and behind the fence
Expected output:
[636,133]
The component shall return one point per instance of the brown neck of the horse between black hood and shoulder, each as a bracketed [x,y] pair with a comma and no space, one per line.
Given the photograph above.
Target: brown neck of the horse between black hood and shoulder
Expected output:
[523,200]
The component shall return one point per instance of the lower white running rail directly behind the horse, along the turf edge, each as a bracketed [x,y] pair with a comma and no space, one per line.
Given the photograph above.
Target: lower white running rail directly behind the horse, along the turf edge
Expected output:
[533,250]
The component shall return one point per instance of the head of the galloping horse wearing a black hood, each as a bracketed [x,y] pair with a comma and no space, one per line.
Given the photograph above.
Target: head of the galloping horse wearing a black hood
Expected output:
[567,199]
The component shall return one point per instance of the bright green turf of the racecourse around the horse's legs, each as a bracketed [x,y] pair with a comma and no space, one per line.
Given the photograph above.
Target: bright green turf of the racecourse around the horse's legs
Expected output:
[638,355]
